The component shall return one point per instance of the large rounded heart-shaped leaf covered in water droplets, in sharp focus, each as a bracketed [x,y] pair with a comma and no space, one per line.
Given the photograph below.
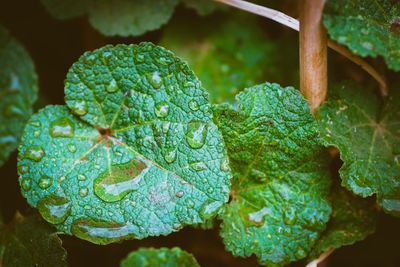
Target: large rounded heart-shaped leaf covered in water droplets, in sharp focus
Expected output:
[135,160]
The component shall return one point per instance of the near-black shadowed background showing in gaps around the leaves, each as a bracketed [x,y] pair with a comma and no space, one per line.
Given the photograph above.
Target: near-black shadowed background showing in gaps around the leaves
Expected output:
[54,45]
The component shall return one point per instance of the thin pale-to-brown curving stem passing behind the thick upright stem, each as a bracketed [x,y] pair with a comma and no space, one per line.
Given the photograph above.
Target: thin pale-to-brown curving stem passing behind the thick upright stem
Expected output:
[294,24]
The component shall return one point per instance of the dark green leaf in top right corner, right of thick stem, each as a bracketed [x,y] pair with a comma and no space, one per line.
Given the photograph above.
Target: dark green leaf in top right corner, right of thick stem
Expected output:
[367,27]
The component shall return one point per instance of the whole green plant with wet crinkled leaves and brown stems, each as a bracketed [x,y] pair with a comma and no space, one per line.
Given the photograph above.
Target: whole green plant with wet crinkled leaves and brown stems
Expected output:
[144,147]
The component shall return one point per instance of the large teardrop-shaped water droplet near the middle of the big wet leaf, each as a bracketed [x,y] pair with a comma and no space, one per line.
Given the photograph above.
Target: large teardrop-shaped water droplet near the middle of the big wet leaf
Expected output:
[125,178]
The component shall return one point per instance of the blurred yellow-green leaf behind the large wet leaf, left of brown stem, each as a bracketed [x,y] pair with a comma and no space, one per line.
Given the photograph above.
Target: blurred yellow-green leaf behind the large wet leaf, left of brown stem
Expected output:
[230,53]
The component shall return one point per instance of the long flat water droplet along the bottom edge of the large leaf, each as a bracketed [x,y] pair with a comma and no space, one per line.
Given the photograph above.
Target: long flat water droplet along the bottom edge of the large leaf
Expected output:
[103,233]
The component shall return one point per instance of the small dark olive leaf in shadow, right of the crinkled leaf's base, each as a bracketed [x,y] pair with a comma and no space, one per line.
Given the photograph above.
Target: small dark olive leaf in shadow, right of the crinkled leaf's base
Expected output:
[352,220]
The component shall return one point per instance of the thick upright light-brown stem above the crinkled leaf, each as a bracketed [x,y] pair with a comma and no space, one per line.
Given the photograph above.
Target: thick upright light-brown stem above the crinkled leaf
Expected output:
[313,53]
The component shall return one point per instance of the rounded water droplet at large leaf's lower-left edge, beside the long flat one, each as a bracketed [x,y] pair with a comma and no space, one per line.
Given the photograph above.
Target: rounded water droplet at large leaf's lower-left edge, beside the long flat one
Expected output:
[54,209]
